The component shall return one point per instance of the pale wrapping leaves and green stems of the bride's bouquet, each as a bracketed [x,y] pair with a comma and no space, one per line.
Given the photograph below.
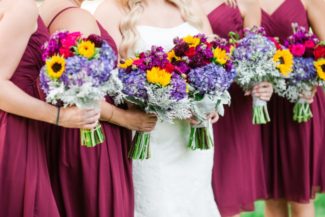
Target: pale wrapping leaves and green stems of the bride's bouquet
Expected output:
[200,135]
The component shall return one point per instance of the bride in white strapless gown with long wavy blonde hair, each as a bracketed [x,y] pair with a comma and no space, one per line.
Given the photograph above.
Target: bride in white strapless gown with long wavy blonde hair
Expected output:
[175,181]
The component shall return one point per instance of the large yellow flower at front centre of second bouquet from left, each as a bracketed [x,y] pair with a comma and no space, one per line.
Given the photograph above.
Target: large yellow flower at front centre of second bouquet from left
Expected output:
[158,76]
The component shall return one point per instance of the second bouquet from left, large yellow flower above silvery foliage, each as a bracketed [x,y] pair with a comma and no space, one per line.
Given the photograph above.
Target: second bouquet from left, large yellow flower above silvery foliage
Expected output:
[151,82]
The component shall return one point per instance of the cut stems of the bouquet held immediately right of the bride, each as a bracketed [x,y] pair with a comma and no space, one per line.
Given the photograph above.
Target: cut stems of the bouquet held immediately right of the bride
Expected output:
[260,111]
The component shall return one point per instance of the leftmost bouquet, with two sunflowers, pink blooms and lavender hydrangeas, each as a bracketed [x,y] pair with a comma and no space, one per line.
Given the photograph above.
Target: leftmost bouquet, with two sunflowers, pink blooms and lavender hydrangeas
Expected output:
[77,72]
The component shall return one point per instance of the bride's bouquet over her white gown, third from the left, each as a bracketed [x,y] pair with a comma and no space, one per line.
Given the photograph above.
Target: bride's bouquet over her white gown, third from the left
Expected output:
[208,71]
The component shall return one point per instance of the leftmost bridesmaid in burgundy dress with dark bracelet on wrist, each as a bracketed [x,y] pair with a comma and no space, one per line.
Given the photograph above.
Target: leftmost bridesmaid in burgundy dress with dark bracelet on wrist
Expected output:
[24,180]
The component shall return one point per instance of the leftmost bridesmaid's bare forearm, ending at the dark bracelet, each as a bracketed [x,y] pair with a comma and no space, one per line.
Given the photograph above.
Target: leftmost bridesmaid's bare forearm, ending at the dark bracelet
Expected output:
[15,101]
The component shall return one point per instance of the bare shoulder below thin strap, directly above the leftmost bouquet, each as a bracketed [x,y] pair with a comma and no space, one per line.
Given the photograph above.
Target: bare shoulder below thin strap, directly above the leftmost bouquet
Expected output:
[76,19]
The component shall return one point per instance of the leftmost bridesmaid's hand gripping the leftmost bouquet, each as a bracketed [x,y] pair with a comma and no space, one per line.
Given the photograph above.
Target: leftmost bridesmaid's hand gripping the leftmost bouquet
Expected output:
[73,117]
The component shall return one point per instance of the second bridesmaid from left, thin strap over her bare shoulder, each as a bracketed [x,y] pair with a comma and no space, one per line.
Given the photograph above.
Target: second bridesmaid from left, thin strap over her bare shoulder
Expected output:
[97,181]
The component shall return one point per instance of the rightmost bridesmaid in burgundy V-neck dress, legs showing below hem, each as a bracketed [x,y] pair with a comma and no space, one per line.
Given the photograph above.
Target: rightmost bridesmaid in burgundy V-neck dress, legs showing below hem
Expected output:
[294,152]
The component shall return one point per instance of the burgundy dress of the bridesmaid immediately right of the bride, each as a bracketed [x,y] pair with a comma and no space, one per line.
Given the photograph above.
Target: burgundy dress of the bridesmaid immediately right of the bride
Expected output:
[238,173]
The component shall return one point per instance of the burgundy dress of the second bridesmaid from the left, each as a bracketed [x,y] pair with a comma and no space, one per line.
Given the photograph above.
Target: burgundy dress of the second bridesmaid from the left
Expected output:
[93,182]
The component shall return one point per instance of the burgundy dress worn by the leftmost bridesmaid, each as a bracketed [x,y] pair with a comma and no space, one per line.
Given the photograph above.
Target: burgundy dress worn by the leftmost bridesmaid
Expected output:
[25,188]
